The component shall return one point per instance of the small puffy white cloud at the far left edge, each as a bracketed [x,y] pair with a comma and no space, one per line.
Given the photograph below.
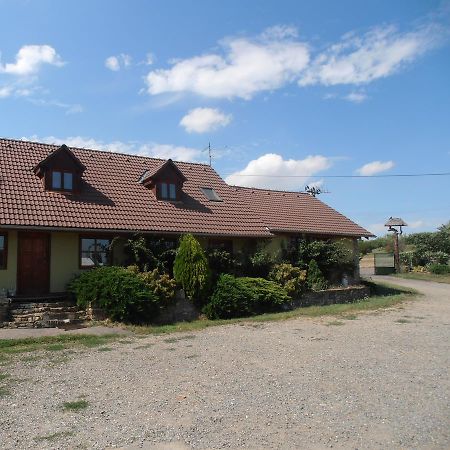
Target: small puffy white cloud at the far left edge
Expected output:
[30,59]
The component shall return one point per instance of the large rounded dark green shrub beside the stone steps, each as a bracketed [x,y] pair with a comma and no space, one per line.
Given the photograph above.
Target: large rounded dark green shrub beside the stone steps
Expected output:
[120,293]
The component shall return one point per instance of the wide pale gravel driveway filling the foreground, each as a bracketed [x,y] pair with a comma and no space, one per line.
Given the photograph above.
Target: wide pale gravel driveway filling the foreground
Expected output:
[378,381]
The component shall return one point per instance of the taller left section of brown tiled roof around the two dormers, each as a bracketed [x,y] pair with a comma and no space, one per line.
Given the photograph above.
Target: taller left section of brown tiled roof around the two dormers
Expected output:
[112,198]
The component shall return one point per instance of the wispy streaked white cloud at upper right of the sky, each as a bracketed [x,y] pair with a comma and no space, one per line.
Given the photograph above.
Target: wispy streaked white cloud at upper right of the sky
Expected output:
[376,54]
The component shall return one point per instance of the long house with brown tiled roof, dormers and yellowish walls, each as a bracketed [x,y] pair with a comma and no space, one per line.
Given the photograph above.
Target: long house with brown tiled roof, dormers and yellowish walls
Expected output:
[60,208]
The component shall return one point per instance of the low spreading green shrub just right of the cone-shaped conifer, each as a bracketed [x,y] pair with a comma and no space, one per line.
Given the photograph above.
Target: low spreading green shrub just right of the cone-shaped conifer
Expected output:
[239,297]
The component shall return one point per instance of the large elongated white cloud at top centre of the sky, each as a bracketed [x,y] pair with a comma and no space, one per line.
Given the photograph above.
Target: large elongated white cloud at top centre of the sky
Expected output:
[243,68]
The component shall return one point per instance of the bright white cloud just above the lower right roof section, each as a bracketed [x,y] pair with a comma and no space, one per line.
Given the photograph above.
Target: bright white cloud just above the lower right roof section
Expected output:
[272,171]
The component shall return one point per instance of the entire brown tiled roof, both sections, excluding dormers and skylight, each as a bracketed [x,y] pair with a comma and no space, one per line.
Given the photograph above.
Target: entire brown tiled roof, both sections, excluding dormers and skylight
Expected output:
[111,198]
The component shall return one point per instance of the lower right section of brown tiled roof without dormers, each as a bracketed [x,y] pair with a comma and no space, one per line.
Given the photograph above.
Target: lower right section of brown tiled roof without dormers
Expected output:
[298,212]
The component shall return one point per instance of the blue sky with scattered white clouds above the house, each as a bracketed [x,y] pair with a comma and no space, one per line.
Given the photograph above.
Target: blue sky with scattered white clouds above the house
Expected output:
[279,88]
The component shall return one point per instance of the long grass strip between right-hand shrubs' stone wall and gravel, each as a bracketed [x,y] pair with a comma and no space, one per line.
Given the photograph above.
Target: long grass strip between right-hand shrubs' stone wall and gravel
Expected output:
[387,296]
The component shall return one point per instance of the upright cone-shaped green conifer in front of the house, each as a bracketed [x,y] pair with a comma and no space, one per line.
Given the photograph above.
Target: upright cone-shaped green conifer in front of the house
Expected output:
[191,268]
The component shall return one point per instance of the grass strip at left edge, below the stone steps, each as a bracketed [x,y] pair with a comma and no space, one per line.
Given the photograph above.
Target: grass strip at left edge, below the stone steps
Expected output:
[66,341]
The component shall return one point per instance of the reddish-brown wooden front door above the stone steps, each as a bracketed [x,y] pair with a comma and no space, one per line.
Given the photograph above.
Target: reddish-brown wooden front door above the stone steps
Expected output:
[33,264]
